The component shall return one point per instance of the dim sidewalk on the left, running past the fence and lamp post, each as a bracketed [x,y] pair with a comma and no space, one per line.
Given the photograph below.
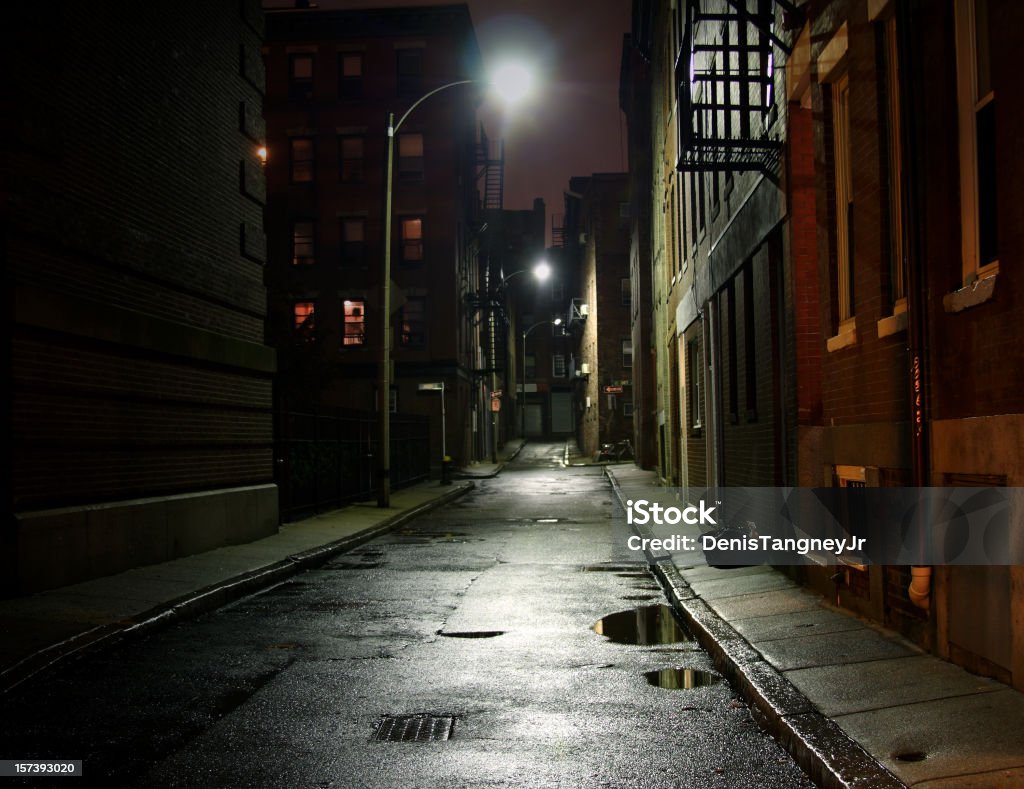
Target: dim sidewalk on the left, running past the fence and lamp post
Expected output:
[42,630]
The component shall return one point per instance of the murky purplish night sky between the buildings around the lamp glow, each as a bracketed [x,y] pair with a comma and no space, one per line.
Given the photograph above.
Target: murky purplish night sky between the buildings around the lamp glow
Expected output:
[573,125]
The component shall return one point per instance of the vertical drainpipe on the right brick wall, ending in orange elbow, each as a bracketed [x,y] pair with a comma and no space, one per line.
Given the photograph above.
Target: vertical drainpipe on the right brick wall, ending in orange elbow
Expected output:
[917,333]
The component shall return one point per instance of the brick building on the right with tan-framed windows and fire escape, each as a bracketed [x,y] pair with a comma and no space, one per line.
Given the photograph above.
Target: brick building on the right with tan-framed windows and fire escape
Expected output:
[834,226]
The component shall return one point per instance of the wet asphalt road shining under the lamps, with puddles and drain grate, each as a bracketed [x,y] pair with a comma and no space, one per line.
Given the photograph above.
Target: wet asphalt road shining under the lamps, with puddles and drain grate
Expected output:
[288,688]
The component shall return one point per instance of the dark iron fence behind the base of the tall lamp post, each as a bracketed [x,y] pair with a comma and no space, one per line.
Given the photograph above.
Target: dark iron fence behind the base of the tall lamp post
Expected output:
[327,458]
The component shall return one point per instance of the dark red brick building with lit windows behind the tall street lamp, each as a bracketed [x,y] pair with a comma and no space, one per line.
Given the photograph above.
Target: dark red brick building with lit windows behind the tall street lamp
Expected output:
[332,79]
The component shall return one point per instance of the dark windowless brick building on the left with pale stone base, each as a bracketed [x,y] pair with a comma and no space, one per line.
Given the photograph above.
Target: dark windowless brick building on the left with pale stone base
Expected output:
[139,427]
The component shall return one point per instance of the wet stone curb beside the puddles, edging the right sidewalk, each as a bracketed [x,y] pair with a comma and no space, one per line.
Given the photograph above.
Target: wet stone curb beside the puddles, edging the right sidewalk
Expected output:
[830,757]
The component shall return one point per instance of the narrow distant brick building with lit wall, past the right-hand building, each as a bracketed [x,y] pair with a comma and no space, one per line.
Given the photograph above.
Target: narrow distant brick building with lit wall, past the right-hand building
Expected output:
[605,396]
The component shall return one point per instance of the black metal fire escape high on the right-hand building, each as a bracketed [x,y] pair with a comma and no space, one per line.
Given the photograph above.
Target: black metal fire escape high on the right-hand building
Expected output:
[726,76]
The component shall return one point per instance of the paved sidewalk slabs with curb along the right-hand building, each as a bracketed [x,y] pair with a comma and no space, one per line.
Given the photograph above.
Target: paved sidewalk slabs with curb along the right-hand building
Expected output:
[855,704]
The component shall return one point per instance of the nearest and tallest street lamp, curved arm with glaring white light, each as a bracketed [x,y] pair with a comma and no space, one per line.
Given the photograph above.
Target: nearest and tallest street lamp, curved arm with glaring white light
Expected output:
[511,82]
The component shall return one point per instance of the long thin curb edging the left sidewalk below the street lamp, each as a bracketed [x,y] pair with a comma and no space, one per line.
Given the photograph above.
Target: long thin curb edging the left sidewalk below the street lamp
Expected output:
[207,599]
